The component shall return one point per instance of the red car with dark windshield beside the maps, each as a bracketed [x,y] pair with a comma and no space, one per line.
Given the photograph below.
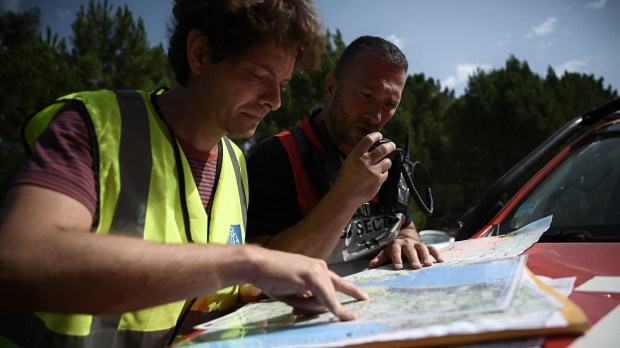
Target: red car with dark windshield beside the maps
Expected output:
[580,188]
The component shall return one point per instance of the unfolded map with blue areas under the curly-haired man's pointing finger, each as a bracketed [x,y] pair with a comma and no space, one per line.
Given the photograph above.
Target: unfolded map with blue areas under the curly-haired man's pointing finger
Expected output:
[491,294]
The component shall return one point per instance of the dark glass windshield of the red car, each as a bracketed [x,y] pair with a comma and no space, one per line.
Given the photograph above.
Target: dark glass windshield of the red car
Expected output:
[582,193]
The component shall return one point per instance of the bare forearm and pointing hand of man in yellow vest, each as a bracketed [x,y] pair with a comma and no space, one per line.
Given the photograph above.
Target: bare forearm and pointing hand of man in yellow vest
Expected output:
[139,274]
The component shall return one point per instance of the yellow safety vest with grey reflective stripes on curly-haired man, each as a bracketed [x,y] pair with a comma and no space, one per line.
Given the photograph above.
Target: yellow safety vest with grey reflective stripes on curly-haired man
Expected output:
[146,190]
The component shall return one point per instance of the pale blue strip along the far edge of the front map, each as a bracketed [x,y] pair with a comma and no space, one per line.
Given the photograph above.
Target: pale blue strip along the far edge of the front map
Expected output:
[438,276]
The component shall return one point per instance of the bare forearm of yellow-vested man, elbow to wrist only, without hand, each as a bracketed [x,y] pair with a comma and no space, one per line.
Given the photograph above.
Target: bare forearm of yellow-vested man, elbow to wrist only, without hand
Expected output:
[88,273]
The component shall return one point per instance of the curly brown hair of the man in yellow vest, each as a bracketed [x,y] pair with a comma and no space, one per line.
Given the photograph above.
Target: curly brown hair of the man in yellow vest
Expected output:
[233,27]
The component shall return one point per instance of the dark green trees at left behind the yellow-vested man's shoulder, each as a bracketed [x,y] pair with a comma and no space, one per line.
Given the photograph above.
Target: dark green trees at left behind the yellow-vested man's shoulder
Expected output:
[106,51]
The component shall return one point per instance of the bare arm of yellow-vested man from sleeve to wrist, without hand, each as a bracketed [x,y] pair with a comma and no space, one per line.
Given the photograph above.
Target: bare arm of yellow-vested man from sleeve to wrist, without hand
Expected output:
[50,260]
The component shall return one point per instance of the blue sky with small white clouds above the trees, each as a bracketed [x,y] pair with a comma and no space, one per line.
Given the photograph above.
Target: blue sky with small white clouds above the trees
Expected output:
[444,39]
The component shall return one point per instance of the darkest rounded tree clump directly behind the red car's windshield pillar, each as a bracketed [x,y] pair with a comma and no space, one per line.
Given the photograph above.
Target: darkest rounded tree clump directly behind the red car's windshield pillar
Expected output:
[502,116]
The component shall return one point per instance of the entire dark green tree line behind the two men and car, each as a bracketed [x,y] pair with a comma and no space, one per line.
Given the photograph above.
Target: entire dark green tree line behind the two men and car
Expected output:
[465,142]
